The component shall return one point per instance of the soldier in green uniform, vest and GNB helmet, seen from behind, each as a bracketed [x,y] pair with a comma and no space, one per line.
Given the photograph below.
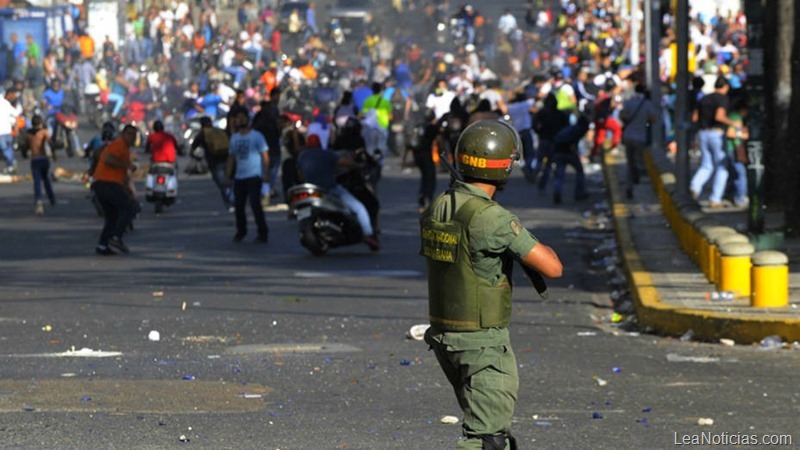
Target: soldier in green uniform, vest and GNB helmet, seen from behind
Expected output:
[470,243]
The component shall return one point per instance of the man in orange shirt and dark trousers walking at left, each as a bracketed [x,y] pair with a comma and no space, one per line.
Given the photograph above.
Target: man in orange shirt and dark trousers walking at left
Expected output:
[110,186]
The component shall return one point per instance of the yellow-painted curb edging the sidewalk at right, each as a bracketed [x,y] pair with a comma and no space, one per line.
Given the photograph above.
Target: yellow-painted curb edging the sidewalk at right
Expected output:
[666,319]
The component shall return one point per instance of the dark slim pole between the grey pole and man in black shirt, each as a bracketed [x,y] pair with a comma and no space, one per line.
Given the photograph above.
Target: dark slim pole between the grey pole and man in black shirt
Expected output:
[682,98]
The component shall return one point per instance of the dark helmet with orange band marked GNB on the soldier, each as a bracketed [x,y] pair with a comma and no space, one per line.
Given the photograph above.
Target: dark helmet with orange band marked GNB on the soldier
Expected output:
[487,150]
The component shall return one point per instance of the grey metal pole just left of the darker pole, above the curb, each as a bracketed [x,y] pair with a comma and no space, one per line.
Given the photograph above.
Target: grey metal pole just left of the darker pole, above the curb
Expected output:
[652,10]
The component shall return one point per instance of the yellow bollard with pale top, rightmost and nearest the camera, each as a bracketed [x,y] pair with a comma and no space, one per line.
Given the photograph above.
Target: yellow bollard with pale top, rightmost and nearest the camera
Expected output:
[770,275]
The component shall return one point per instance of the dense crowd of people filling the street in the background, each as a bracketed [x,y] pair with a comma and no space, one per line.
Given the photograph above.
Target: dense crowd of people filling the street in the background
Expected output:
[562,77]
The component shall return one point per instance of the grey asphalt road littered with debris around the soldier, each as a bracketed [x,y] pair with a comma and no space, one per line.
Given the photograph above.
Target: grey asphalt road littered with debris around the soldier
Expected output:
[290,351]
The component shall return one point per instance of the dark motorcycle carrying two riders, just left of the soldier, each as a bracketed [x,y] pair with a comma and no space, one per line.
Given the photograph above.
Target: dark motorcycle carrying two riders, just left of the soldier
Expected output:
[324,221]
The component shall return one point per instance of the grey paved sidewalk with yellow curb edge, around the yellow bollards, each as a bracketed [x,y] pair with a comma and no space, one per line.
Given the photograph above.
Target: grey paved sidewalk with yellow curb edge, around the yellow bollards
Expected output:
[670,293]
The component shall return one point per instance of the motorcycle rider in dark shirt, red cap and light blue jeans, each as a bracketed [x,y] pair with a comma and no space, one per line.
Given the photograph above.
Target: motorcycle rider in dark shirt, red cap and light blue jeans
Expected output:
[318,166]
